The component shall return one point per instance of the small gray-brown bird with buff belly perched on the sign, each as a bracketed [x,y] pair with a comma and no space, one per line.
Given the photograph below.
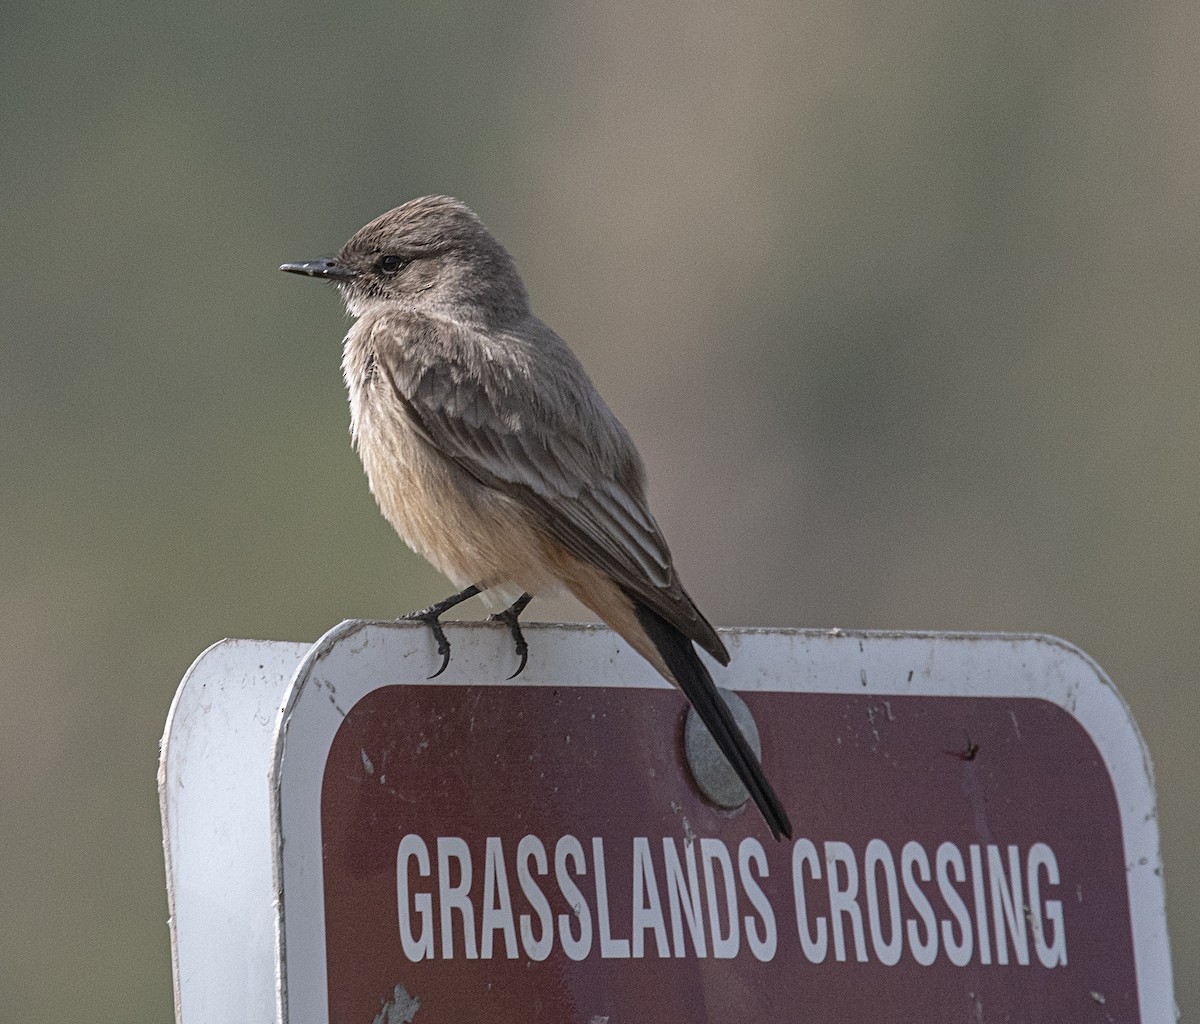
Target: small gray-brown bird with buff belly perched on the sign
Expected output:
[493,454]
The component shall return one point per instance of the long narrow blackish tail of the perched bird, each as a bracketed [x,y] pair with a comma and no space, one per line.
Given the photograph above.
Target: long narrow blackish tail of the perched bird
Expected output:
[698,686]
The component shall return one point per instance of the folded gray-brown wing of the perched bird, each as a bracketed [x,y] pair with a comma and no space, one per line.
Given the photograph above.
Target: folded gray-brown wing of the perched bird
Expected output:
[521,417]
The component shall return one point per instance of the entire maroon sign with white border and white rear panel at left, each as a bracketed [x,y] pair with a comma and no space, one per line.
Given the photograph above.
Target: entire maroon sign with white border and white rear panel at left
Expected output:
[350,841]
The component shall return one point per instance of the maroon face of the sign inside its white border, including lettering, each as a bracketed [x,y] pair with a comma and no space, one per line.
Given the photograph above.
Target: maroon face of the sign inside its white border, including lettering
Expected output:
[541,854]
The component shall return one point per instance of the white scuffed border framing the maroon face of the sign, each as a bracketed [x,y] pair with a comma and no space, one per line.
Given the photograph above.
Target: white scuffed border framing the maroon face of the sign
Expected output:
[934,664]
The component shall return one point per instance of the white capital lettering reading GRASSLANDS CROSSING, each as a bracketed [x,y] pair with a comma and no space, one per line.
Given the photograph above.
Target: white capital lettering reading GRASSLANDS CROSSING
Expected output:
[985,905]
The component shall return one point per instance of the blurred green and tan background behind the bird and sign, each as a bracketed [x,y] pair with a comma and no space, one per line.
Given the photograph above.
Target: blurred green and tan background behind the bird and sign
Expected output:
[901,303]
